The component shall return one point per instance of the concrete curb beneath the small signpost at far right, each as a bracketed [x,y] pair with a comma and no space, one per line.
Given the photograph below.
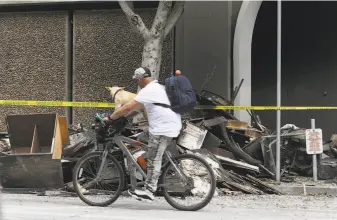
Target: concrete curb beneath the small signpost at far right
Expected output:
[308,190]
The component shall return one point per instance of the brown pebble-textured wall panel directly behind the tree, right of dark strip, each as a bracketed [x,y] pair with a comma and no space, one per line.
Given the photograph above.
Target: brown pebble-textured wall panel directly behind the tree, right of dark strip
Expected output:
[106,52]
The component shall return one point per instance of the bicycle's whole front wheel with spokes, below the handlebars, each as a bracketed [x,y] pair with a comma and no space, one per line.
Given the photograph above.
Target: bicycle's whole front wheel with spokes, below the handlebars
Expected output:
[110,184]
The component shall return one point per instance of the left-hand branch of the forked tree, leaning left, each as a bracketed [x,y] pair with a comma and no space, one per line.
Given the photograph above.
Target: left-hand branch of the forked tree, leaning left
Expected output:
[134,19]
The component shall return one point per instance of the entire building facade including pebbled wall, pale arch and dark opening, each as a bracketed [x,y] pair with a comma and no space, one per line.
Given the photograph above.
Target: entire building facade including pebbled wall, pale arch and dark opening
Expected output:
[71,51]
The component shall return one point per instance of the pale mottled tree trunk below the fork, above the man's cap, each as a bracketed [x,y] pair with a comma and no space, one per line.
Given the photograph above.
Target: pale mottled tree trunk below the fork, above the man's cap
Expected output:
[151,57]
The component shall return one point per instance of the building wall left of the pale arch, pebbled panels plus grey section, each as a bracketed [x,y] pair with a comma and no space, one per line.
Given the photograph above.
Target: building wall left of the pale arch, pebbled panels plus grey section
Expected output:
[72,51]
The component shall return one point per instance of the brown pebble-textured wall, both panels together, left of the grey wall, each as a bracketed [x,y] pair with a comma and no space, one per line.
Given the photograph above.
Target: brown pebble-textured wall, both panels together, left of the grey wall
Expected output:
[33,58]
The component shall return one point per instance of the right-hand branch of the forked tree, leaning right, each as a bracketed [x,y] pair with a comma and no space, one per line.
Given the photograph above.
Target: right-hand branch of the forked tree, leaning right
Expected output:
[159,23]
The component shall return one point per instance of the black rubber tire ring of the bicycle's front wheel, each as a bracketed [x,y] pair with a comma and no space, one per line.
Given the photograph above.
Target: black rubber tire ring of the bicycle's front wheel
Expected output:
[121,182]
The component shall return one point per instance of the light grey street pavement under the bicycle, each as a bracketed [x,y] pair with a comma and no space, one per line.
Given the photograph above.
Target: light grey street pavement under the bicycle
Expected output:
[33,207]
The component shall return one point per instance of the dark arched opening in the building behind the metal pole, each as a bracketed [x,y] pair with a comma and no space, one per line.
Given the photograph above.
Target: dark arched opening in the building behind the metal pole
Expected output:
[309,62]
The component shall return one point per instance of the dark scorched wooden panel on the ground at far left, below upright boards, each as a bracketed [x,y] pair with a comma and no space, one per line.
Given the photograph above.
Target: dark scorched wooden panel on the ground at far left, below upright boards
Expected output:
[31,171]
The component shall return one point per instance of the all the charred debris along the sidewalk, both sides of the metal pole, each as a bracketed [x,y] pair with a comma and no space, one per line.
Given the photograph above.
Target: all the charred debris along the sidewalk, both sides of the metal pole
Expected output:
[243,156]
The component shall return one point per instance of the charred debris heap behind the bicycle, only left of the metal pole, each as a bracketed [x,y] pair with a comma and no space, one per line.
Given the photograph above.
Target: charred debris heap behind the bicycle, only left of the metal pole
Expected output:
[234,149]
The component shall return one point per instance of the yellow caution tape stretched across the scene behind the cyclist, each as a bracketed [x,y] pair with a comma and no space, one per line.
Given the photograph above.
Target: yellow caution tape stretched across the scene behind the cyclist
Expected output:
[111,105]
